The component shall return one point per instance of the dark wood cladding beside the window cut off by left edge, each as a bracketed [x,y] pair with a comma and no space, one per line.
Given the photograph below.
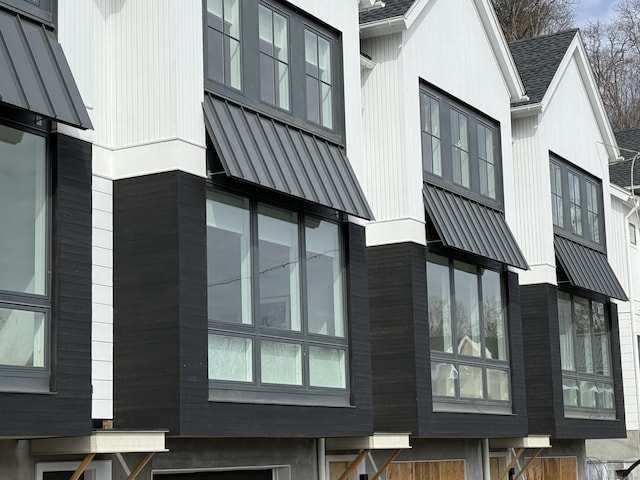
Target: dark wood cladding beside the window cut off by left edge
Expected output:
[67,411]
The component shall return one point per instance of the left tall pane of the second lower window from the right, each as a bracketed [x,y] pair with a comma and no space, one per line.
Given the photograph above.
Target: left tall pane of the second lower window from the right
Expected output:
[439,298]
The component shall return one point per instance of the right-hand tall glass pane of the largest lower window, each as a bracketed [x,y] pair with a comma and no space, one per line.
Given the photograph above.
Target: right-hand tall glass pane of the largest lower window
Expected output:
[325,294]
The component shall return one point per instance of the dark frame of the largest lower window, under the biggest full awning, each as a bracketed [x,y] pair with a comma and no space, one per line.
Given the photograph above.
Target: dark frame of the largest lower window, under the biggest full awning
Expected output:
[256,392]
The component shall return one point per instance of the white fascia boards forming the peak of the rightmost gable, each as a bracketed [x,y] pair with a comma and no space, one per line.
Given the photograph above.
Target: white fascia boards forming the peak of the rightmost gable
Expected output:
[577,51]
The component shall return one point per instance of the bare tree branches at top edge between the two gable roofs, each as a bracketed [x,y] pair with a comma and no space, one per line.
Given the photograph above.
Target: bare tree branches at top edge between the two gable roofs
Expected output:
[530,18]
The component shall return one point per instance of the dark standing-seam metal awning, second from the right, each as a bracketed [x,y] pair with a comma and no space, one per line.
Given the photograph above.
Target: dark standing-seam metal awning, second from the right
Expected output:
[467,225]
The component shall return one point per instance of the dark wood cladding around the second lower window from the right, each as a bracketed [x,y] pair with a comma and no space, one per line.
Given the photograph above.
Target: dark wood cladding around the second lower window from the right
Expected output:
[400,352]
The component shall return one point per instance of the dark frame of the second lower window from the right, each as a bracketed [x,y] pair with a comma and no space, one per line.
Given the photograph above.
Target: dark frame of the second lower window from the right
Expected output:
[476,405]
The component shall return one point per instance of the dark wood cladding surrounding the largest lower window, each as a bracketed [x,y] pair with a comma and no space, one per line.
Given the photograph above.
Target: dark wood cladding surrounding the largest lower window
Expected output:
[161,324]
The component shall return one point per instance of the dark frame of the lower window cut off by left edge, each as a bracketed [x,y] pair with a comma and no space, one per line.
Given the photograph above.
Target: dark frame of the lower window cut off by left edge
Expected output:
[33,379]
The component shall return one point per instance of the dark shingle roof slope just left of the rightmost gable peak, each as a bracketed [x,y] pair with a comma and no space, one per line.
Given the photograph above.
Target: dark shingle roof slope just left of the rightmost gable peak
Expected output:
[537,60]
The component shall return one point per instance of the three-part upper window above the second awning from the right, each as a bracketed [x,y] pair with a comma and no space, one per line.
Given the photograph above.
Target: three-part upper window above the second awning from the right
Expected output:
[460,148]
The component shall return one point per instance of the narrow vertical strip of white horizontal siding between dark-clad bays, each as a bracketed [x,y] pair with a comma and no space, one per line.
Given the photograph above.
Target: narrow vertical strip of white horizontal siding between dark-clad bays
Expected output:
[102,298]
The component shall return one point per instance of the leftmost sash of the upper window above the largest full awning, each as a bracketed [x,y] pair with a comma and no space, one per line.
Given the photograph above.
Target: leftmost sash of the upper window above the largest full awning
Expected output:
[223,38]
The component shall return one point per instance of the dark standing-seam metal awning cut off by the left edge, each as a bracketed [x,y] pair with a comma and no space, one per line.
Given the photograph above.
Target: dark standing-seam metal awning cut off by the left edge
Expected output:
[34,73]
